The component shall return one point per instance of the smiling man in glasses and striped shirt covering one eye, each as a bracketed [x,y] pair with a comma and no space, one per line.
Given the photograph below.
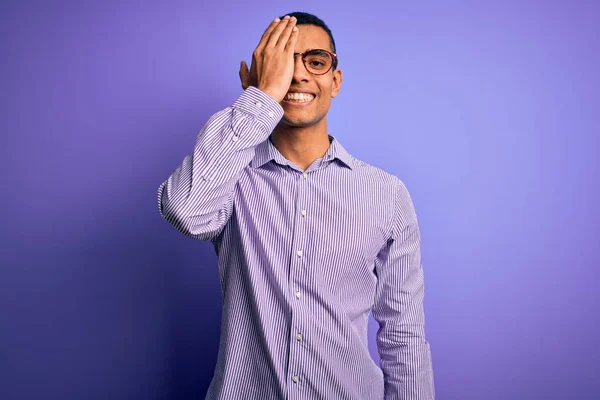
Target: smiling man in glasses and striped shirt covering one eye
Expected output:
[309,239]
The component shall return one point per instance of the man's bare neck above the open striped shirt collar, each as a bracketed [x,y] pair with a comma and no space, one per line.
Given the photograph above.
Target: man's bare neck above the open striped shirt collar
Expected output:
[302,146]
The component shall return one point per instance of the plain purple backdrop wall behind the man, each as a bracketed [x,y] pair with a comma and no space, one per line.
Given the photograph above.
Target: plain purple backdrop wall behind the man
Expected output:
[487,110]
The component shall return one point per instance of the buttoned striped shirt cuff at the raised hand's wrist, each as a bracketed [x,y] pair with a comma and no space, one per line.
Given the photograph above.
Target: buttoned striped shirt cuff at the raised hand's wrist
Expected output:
[260,105]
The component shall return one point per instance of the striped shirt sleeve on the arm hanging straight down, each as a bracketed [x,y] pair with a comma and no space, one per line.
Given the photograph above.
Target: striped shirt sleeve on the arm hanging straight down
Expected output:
[404,352]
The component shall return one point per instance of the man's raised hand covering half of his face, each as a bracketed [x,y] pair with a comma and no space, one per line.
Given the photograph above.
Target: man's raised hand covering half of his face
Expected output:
[272,67]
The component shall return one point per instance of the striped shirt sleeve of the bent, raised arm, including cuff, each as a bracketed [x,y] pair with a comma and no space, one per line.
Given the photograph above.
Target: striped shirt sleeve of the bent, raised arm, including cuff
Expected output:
[197,198]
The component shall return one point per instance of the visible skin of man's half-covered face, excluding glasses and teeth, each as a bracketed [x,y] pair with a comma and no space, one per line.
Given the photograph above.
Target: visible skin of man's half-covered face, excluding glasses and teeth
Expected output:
[323,87]
